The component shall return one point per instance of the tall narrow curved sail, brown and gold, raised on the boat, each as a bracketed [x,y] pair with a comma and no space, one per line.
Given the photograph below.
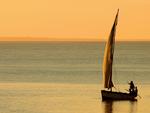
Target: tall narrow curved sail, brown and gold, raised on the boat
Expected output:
[108,56]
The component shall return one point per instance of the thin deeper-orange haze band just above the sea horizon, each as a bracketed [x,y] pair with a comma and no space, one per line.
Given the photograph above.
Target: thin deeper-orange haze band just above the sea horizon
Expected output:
[65,39]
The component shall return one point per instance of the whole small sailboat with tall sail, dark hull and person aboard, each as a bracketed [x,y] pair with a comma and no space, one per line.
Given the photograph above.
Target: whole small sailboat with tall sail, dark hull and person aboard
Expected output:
[107,93]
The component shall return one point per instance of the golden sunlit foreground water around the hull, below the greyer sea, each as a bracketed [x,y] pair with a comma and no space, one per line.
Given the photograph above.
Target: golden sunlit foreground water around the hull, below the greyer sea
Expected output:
[65,98]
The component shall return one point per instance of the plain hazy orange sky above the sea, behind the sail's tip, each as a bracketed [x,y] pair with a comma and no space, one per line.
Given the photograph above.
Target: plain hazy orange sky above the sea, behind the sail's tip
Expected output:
[73,19]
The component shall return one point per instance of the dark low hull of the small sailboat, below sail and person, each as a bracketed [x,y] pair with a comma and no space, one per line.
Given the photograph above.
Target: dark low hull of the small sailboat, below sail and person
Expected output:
[111,95]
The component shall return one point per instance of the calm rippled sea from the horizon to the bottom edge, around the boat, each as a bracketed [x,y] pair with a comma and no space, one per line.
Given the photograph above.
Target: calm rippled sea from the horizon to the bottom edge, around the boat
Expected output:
[66,77]
